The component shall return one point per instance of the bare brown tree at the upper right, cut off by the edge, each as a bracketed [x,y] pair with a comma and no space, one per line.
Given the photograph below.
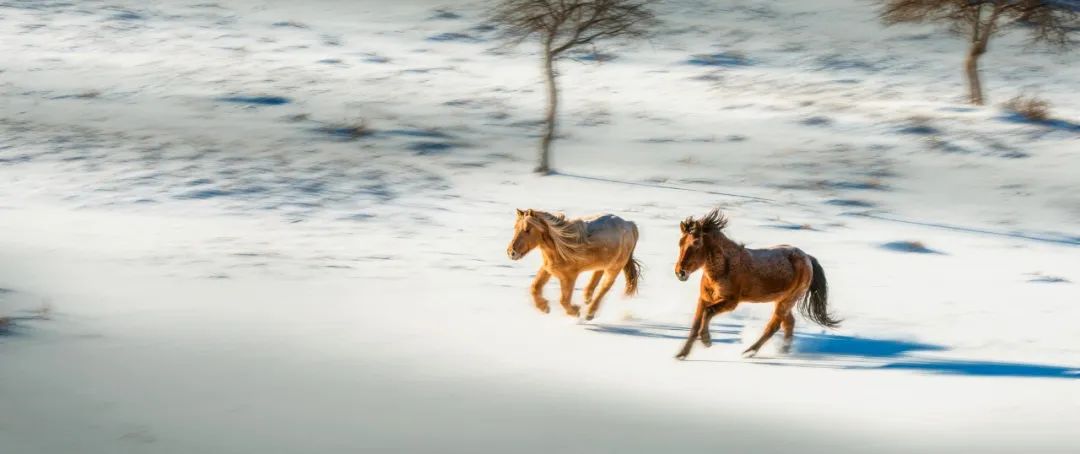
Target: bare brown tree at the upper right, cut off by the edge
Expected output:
[1047,22]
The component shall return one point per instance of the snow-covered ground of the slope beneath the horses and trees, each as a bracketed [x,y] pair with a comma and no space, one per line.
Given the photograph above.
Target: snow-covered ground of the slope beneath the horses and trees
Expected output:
[196,257]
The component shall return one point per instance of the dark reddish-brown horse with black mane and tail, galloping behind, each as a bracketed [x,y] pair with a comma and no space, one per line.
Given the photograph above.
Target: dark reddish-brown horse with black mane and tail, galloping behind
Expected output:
[735,274]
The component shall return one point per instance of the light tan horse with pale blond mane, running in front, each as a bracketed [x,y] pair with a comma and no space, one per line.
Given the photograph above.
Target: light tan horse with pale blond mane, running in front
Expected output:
[603,245]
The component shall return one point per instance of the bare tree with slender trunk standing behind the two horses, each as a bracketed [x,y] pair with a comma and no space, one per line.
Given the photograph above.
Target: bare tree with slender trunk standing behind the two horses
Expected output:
[562,26]
